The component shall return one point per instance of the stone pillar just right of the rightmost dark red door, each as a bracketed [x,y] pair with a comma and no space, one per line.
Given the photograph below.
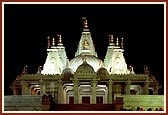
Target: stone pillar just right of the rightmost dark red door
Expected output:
[110,91]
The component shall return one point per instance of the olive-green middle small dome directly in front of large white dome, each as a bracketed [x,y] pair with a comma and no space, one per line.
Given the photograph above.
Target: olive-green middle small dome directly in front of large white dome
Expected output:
[85,67]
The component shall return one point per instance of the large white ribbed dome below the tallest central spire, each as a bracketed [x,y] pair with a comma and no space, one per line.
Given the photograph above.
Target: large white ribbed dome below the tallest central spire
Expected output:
[92,60]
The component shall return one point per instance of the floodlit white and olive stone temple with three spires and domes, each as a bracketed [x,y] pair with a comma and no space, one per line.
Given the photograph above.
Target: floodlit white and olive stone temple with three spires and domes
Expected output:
[85,78]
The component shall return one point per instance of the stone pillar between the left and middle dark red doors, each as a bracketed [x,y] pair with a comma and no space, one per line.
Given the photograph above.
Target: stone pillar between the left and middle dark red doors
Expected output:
[76,96]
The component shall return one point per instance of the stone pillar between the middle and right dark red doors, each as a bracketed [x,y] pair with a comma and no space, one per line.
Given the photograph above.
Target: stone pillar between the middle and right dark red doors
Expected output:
[94,83]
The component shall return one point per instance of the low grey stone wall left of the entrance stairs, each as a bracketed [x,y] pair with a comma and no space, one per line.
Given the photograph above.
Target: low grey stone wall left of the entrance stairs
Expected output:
[22,103]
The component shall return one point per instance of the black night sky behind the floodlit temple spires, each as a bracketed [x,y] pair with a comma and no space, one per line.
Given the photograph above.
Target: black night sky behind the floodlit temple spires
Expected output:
[26,29]
